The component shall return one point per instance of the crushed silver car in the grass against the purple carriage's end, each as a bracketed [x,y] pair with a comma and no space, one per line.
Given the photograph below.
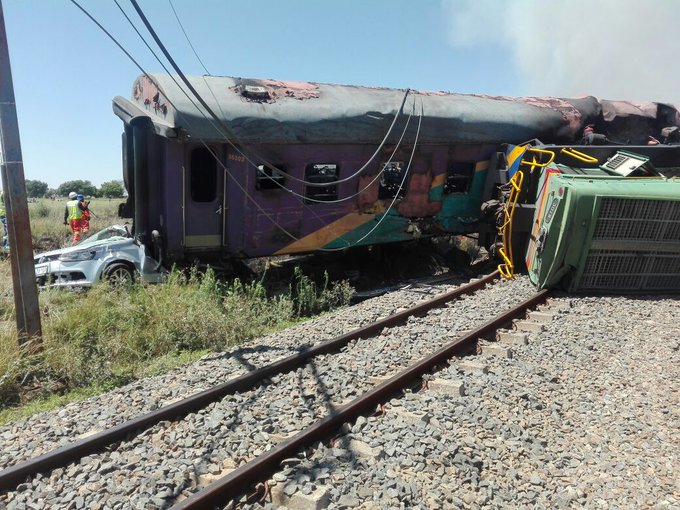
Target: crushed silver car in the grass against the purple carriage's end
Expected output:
[111,254]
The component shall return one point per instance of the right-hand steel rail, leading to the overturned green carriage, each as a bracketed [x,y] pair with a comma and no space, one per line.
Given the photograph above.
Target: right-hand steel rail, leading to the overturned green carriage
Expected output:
[239,481]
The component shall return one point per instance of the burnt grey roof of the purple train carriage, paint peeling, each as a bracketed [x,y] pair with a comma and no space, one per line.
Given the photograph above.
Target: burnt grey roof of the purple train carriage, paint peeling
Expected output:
[272,111]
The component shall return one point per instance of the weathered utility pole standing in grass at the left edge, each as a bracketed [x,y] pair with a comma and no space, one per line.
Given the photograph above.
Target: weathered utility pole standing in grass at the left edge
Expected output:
[18,224]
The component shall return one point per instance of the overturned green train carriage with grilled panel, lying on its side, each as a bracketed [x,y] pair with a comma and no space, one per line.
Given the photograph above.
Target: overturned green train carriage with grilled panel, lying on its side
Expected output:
[610,228]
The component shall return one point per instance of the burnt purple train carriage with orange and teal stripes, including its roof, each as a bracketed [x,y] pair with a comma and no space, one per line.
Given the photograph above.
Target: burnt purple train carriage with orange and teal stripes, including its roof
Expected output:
[292,167]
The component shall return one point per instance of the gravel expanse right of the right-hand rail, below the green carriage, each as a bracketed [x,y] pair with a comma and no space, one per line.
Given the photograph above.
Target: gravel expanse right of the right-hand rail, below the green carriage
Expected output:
[586,415]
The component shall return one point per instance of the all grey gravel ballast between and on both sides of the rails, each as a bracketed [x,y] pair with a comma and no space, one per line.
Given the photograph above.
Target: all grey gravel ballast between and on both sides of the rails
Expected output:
[587,413]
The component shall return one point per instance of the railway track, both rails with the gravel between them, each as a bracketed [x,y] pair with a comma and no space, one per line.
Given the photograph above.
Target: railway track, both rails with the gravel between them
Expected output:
[219,422]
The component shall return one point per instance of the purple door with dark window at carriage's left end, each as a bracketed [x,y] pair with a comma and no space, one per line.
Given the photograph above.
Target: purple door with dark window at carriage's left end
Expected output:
[204,210]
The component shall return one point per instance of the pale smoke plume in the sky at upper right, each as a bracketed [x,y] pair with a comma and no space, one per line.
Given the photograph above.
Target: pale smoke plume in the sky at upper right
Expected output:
[613,49]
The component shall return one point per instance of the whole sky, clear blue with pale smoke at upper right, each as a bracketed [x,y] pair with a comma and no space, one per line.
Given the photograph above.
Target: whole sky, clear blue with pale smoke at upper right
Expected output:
[66,71]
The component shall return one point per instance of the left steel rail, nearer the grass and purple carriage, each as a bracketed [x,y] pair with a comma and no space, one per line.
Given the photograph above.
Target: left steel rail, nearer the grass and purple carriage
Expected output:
[12,476]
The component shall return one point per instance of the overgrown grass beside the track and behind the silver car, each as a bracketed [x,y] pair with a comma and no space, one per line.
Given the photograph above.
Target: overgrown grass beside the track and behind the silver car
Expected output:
[108,337]
